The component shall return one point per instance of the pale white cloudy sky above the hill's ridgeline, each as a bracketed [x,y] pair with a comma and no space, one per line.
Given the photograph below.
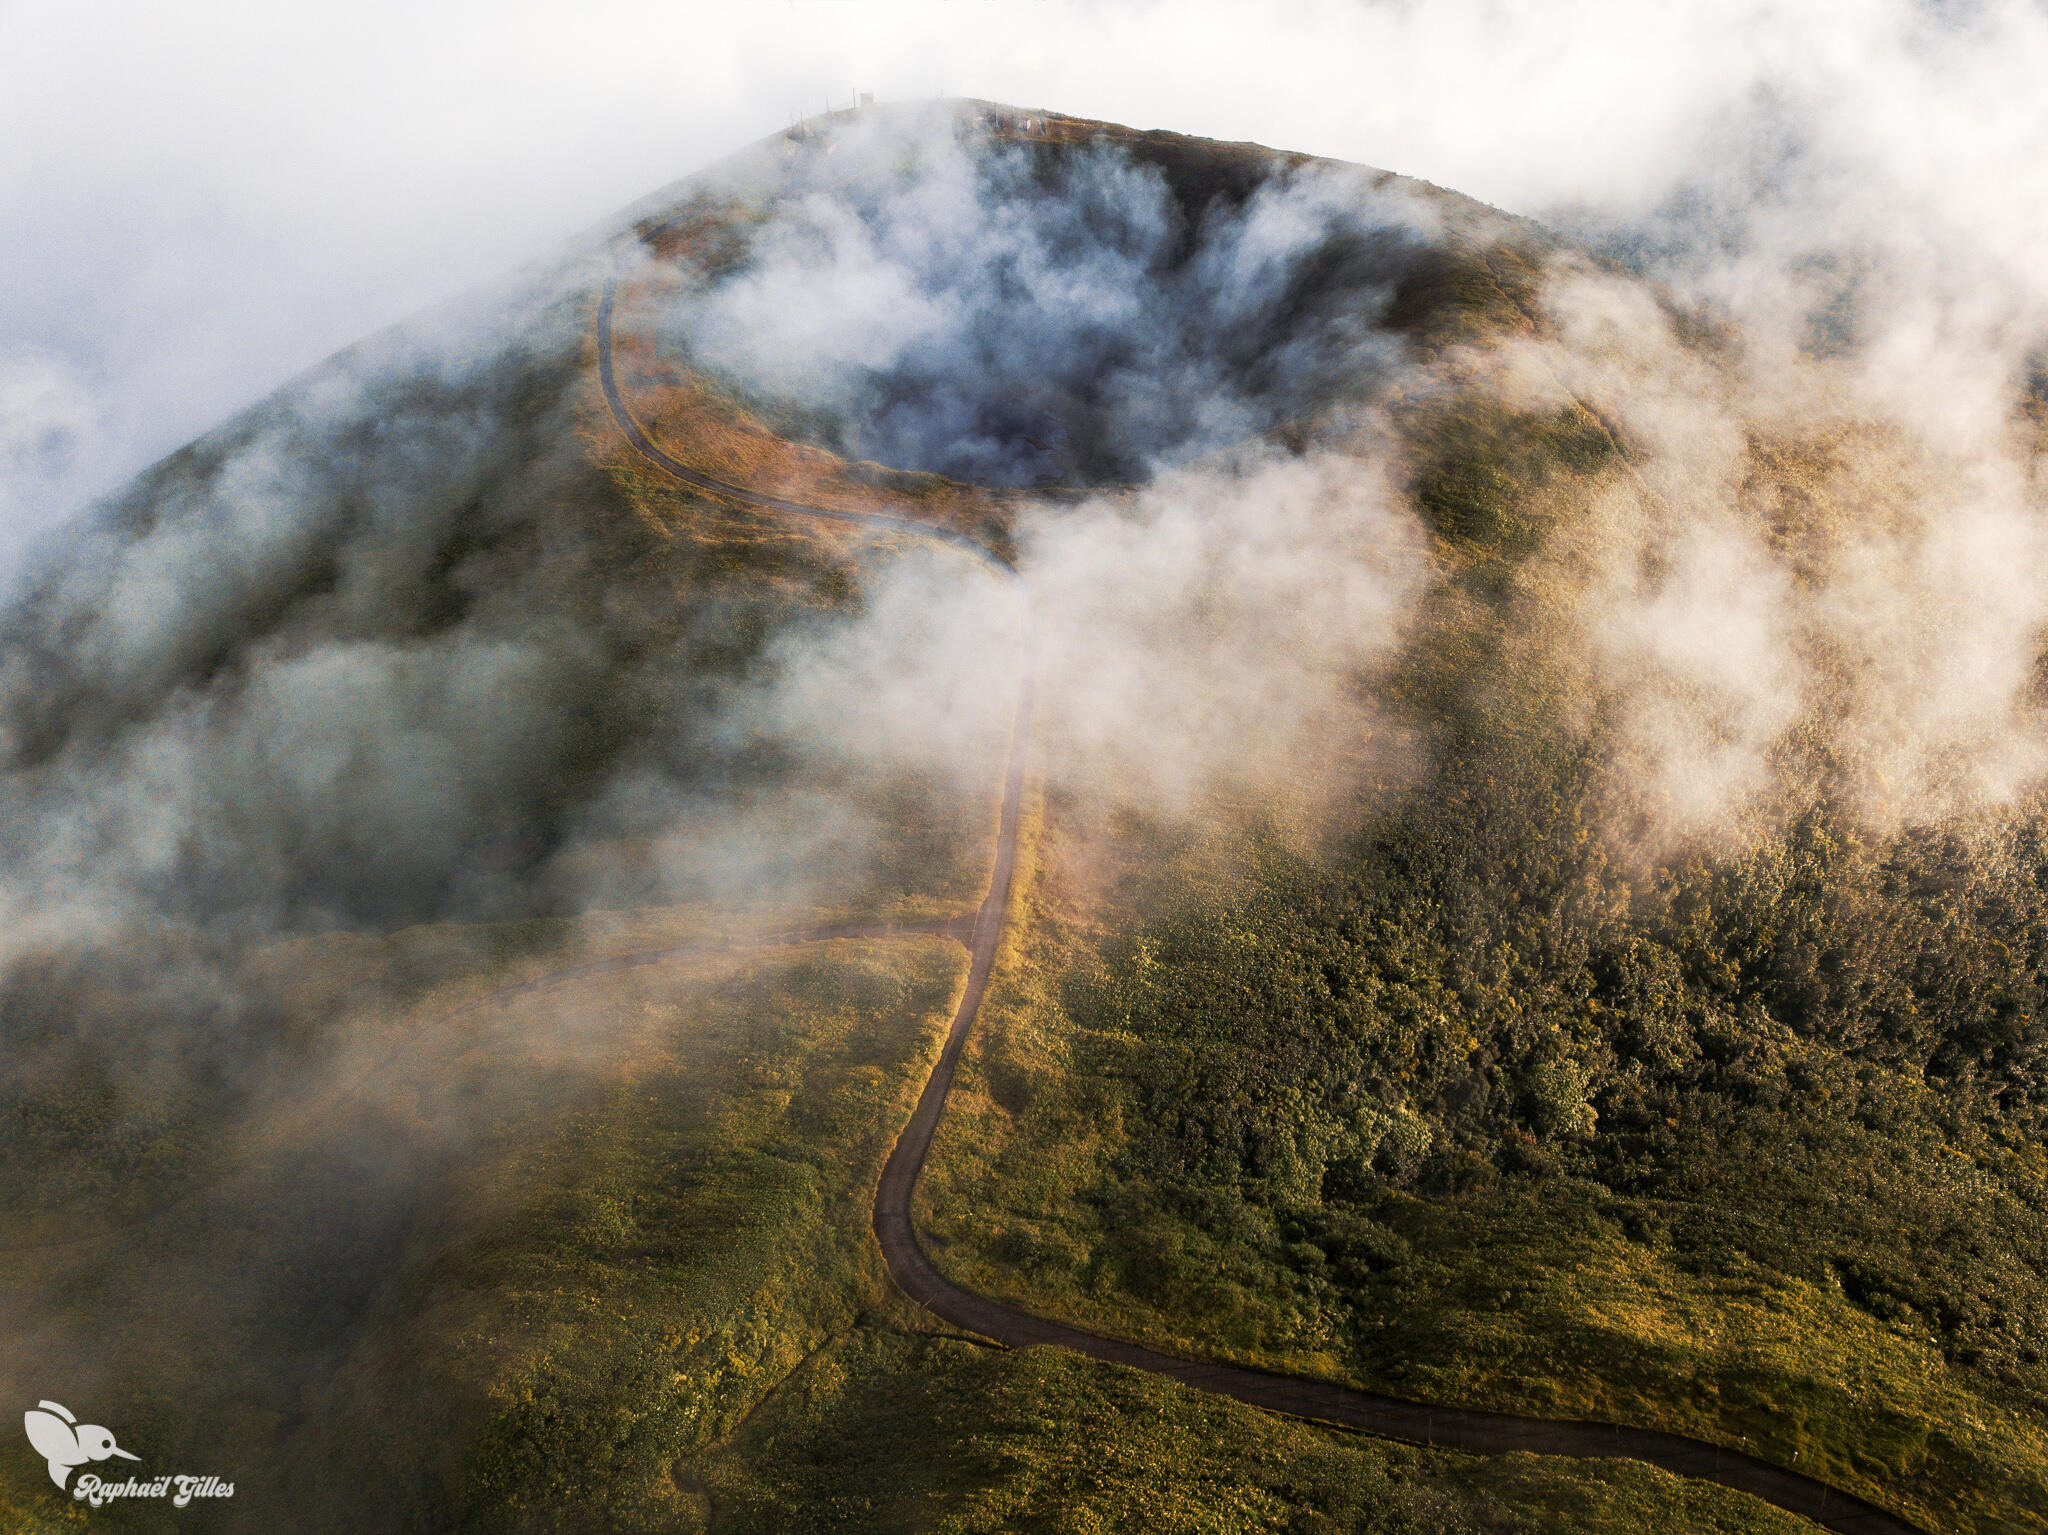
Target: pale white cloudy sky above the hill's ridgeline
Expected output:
[200,202]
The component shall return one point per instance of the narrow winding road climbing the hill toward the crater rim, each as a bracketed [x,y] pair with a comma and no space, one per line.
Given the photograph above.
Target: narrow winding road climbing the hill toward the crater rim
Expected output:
[1441,1428]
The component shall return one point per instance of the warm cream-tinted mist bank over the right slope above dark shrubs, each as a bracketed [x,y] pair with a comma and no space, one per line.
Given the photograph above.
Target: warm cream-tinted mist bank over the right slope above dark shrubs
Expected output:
[1809,582]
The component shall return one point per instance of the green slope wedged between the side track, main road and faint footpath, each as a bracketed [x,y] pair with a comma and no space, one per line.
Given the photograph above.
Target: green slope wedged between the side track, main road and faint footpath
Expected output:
[658,1209]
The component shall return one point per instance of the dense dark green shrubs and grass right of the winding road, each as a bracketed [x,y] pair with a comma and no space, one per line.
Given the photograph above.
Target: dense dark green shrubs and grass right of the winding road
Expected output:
[1471,1110]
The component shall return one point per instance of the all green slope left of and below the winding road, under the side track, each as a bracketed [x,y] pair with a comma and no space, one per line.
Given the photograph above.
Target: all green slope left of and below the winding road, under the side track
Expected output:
[644,1297]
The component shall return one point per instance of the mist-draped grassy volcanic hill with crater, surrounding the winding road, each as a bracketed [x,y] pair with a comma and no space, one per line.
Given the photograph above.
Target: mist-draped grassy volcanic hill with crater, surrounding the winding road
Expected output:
[417,685]
